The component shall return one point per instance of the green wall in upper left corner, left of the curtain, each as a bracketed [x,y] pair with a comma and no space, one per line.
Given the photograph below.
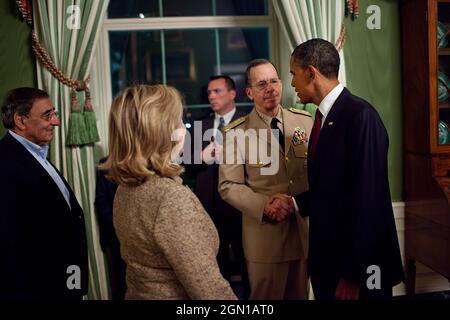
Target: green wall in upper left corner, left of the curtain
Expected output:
[17,63]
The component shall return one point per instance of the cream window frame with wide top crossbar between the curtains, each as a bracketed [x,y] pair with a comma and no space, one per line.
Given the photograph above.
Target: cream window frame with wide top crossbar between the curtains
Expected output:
[101,86]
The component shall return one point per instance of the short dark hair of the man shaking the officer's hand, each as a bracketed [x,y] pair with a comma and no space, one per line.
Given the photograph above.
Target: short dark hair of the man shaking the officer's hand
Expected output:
[320,54]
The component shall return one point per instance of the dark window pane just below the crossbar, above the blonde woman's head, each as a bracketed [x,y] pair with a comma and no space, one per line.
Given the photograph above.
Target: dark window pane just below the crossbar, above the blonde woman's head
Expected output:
[135,58]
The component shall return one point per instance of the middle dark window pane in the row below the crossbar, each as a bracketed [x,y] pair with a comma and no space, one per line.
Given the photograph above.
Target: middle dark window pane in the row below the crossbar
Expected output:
[190,61]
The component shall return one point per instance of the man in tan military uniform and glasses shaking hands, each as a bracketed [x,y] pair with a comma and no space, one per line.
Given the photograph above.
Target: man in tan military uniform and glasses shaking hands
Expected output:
[275,238]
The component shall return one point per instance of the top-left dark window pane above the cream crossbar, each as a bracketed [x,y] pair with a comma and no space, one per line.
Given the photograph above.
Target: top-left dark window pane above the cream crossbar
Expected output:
[133,9]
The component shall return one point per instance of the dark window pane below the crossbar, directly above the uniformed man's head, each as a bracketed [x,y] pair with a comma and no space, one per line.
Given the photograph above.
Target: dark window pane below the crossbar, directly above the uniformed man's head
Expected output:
[238,46]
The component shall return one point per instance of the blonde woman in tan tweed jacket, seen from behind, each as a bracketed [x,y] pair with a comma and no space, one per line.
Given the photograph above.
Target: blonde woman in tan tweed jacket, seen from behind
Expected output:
[167,240]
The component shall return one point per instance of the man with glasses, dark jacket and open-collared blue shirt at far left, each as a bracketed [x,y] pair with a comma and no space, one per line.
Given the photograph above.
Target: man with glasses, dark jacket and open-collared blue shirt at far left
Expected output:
[42,233]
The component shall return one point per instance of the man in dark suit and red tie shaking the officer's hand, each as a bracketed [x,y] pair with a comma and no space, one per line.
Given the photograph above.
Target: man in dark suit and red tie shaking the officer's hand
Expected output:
[354,250]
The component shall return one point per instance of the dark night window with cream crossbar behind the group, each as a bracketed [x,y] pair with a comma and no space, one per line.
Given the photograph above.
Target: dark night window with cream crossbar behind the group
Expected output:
[183,43]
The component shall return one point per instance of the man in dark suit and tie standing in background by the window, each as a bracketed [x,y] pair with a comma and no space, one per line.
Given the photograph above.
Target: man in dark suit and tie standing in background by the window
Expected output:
[228,221]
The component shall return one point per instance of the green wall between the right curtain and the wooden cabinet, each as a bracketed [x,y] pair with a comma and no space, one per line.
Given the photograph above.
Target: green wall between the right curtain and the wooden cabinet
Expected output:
[373,68]
